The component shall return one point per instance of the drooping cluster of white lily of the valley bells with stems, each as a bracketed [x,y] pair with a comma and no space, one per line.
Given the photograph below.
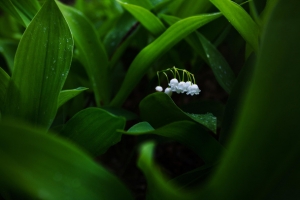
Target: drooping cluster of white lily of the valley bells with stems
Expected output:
[189,87]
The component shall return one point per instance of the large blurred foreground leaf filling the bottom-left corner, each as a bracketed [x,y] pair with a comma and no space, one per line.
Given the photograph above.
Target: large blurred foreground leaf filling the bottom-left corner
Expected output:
[36,165]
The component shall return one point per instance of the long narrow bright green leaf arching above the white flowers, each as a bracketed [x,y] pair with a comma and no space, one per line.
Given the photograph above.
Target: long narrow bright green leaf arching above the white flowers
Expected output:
[156,49]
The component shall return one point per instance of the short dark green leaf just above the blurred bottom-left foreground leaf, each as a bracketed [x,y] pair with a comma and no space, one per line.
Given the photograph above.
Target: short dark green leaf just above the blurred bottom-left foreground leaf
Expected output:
[94,129]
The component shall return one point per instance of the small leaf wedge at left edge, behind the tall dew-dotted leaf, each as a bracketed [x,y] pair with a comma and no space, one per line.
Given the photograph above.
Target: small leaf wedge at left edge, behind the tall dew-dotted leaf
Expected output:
[8,49]
